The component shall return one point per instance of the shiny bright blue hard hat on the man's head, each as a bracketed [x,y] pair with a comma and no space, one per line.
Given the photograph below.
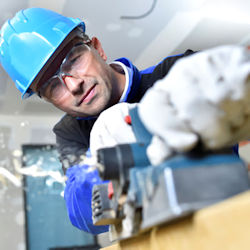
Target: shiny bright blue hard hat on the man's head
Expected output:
[28,40]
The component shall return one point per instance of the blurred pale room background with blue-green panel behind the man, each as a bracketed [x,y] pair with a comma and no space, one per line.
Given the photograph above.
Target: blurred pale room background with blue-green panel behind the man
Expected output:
[145,31]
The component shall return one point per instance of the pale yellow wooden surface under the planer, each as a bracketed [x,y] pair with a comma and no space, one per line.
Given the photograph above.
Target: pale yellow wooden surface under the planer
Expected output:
[223,226]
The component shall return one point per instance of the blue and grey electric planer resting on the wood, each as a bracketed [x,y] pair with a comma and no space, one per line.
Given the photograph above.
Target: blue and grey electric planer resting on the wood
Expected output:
[140,195]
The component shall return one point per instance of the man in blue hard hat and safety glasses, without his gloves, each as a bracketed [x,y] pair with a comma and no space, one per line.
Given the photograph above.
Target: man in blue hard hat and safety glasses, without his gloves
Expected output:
[50,55]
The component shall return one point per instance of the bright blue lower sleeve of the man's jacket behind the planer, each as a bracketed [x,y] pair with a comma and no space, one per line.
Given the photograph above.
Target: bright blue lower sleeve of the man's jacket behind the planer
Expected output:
[78,193]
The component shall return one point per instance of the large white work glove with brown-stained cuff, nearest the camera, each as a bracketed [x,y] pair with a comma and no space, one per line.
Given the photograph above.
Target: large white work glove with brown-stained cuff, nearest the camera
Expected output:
[204,97]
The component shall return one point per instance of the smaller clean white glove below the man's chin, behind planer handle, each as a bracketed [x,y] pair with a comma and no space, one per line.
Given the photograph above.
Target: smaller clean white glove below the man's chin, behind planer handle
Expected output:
[111,128]
